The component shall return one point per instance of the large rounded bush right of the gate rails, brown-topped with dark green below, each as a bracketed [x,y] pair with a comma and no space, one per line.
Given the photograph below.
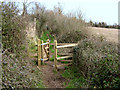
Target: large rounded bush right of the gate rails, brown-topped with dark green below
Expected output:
[98,61]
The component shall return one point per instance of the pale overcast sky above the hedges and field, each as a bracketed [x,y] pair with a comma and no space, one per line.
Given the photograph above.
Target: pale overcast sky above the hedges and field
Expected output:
[95,10]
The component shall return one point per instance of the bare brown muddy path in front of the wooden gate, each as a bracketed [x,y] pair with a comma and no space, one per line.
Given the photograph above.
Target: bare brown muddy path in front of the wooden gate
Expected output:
[51,78]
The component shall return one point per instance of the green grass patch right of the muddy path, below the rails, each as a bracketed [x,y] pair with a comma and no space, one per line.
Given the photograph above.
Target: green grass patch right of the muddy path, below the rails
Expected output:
[76,79]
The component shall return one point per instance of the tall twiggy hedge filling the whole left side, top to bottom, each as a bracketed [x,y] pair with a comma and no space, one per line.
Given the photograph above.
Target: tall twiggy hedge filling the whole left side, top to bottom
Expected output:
[17,69]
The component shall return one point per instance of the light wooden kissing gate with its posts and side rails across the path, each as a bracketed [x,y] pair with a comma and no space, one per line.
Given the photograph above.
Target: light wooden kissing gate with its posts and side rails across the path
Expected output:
[44,49]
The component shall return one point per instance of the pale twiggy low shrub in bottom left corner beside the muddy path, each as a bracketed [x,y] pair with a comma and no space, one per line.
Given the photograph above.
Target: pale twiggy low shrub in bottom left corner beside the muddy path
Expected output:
[18,73]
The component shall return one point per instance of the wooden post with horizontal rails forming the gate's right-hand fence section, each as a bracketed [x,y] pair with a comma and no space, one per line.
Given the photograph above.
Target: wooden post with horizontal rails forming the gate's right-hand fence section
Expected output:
[55,54]
